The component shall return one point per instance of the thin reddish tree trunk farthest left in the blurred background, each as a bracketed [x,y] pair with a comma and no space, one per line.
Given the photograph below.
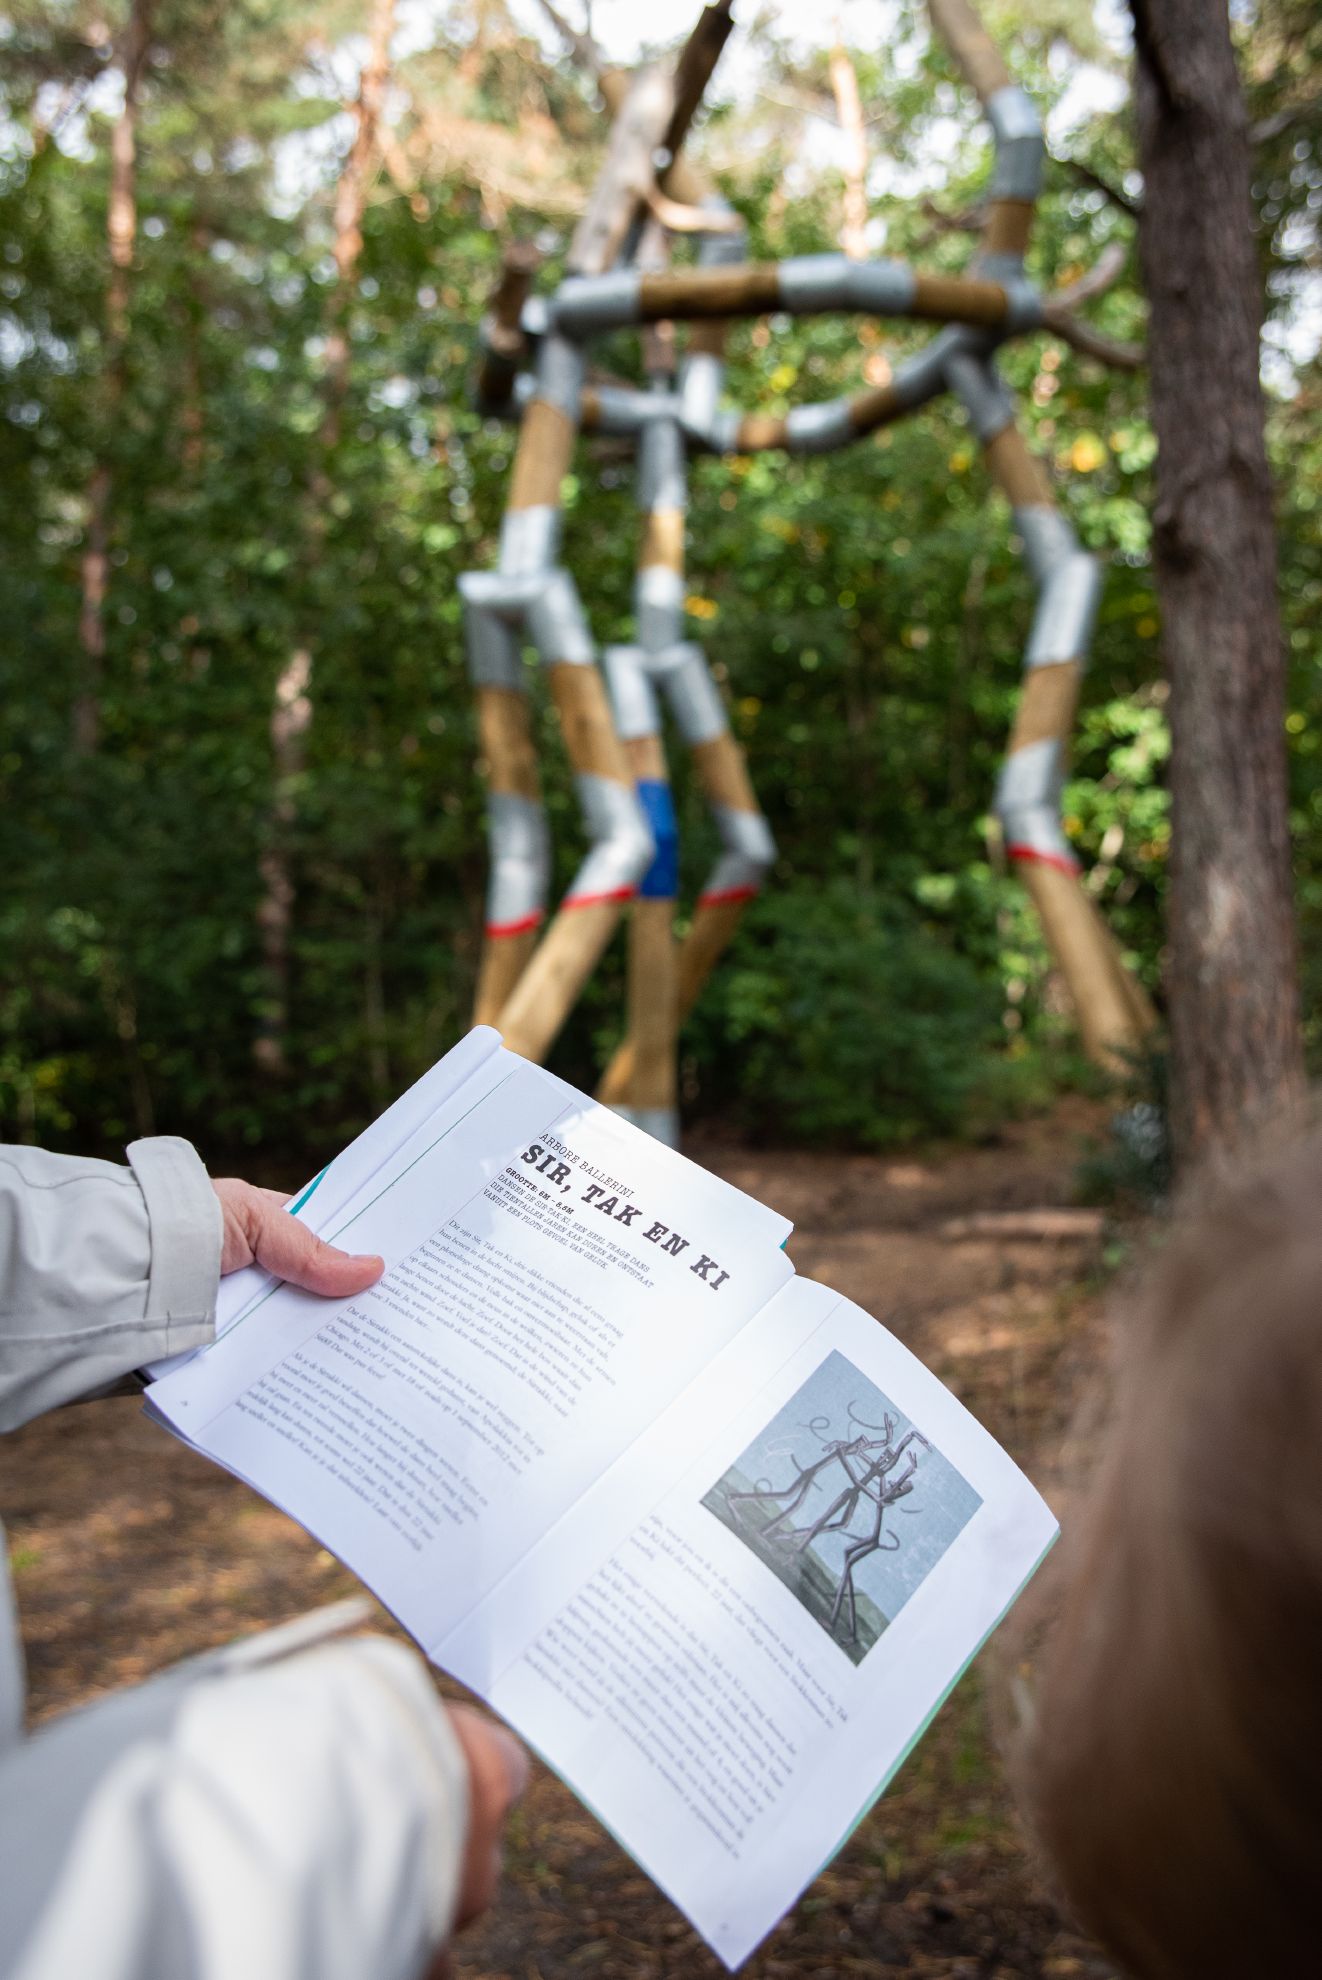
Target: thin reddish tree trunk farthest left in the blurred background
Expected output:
[122,235]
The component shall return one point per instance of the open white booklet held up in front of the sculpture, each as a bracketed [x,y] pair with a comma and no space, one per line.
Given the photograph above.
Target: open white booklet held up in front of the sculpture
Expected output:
[704,1532]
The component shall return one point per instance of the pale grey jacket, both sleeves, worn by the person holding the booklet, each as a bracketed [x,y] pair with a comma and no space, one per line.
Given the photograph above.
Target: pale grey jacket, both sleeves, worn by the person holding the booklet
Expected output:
[236,1819]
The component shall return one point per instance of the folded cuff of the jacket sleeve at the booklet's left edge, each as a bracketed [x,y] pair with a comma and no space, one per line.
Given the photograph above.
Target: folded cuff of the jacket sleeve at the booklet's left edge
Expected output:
[183,1213]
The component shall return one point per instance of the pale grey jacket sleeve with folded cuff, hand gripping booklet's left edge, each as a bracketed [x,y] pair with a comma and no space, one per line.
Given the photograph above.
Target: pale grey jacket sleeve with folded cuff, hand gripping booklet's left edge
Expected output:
[102,1268]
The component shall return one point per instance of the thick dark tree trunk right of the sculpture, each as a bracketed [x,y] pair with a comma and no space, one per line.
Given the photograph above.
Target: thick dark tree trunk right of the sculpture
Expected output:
[1234,1017]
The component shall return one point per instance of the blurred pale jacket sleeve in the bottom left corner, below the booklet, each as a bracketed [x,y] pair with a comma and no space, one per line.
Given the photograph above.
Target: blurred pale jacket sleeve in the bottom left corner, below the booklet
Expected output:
[302,1821]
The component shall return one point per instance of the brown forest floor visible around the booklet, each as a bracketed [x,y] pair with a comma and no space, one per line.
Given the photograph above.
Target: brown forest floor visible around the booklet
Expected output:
[130,1553]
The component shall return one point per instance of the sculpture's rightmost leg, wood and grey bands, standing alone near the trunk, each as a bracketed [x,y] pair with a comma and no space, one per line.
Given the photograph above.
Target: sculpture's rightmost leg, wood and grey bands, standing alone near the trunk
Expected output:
[1113,1011]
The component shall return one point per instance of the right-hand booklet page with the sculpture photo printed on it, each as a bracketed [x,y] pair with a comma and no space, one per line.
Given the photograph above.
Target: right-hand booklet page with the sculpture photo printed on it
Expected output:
[686,1676]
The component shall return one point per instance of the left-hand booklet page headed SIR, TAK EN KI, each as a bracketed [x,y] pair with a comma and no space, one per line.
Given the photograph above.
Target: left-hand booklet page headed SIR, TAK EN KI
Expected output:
[555,1278]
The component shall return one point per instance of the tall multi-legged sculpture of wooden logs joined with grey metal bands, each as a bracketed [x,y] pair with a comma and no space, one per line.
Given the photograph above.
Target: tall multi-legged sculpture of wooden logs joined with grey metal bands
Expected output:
[535,369]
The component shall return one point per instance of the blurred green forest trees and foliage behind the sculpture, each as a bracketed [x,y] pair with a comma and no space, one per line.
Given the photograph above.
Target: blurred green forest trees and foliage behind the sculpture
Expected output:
[165,423]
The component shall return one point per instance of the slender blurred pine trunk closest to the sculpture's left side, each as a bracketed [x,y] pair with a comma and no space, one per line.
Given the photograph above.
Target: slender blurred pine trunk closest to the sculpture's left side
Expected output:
[292,708]
